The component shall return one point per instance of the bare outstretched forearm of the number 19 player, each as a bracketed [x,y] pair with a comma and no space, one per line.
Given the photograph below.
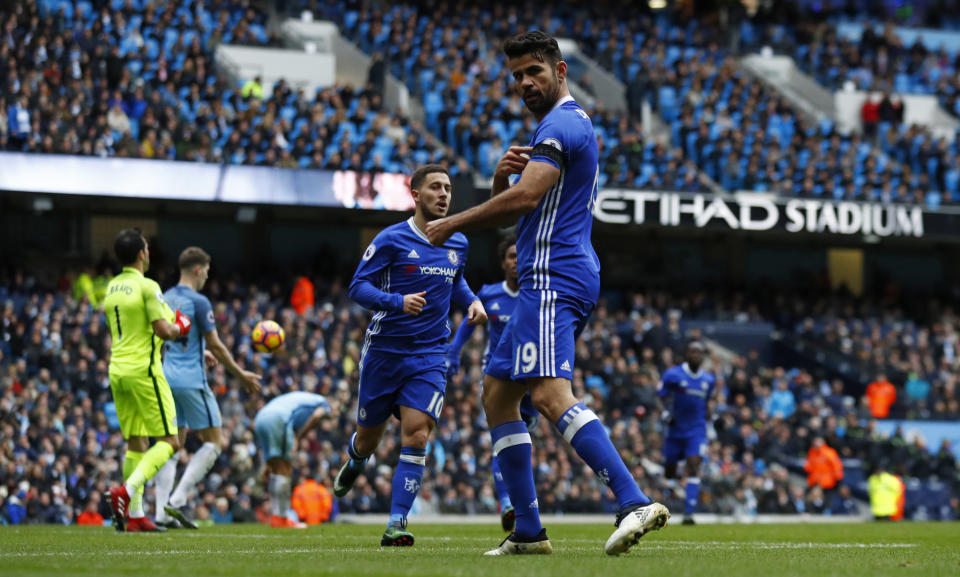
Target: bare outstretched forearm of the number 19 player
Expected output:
[501,210]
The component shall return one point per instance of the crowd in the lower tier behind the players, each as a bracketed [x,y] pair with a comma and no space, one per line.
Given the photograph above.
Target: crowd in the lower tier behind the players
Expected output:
[59,441]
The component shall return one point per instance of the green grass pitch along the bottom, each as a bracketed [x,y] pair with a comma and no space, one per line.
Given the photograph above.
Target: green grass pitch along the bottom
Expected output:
[869,550]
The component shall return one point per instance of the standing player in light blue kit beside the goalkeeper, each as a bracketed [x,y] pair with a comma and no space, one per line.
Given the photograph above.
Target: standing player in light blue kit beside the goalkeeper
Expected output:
[184,365]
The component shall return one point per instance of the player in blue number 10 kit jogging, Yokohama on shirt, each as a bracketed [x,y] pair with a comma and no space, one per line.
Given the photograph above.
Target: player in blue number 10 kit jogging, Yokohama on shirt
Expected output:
[409,283]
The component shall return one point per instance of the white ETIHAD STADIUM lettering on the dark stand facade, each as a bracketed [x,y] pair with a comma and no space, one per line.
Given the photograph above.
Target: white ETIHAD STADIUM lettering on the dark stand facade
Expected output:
[751,211]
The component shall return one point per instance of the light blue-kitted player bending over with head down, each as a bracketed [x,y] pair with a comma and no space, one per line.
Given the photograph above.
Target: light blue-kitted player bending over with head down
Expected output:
[279,426]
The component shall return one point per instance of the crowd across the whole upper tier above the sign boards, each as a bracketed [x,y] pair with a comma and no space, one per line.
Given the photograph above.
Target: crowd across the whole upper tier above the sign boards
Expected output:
[132,79]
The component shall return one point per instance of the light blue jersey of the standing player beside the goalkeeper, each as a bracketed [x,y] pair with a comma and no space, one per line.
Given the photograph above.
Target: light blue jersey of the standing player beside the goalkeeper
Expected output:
[183,363]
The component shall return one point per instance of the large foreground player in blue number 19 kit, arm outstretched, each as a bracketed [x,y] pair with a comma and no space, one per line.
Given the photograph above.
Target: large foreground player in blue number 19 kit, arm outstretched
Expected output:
[559,285]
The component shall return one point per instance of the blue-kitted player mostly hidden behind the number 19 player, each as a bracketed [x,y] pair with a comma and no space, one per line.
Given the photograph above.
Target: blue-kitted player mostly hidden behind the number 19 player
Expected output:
[499,300]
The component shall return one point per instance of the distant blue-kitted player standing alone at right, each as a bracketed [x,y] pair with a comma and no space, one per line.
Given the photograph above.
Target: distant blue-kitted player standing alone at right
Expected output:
[686,390]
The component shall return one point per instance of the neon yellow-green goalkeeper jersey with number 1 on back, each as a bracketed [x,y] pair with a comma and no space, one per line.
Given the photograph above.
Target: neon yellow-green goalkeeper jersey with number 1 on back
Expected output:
[132,304]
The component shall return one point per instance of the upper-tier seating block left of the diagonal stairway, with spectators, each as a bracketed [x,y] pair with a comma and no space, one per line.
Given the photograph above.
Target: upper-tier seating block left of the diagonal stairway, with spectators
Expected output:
[138,79]
